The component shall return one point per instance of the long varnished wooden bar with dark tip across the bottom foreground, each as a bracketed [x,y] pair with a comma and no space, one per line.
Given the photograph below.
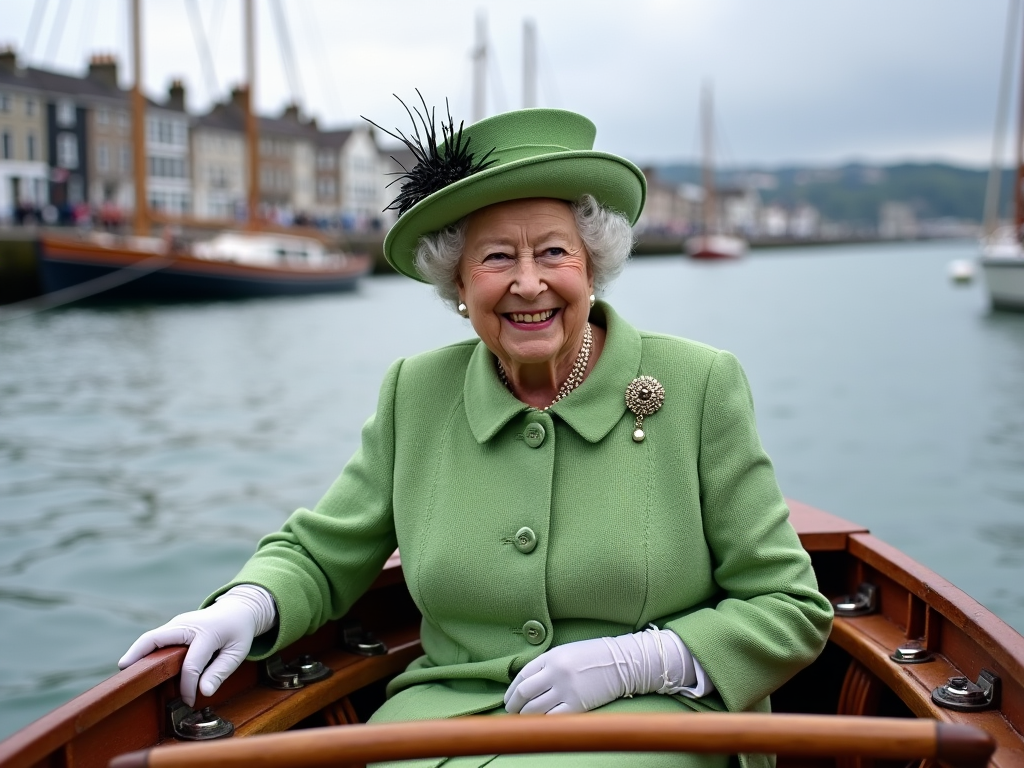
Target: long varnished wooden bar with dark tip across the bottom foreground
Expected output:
[803,736]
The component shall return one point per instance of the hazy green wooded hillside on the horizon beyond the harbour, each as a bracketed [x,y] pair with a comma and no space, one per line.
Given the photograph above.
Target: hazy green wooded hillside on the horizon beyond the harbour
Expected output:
[855,193]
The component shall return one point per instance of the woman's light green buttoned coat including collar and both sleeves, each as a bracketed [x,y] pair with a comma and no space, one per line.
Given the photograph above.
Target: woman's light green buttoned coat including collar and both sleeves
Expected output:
[687,530]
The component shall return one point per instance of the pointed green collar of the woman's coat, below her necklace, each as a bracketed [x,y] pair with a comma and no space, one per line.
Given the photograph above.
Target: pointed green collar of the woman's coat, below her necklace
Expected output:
[592,410]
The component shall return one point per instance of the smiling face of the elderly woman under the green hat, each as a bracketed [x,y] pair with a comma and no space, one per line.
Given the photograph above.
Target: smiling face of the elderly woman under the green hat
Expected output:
[525,275]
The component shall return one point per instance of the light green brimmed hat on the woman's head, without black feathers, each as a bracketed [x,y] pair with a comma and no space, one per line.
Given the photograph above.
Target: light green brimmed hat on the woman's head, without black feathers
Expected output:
[534,154]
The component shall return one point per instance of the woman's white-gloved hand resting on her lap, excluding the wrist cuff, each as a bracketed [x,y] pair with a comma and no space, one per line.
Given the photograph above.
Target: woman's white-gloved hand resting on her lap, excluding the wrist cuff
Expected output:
[575,677]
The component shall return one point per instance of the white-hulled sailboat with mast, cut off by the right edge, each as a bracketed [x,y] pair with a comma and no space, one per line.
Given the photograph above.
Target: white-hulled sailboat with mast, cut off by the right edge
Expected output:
[1002,254]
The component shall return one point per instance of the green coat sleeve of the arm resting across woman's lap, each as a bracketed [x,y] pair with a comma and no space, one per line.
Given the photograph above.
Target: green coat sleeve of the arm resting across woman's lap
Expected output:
[770,621]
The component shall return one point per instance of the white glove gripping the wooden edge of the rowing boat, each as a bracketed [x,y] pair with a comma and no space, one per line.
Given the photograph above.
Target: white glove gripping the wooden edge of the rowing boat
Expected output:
[227,628]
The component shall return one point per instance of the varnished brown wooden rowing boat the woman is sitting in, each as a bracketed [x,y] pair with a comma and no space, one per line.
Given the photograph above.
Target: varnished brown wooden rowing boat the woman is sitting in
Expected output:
[906,646]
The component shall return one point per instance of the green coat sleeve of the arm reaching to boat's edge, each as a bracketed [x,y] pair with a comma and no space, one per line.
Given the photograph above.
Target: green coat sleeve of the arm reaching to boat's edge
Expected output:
[322,561]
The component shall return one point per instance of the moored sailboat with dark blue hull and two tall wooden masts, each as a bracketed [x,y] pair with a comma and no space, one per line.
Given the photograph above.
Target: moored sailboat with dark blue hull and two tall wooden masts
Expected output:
[255,263]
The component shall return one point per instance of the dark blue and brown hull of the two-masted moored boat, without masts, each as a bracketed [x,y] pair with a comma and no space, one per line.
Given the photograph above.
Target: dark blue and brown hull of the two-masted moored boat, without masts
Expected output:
[233,266]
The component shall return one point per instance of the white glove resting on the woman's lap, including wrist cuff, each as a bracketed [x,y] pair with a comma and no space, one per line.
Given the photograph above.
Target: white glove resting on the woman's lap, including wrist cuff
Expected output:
[585,675]
